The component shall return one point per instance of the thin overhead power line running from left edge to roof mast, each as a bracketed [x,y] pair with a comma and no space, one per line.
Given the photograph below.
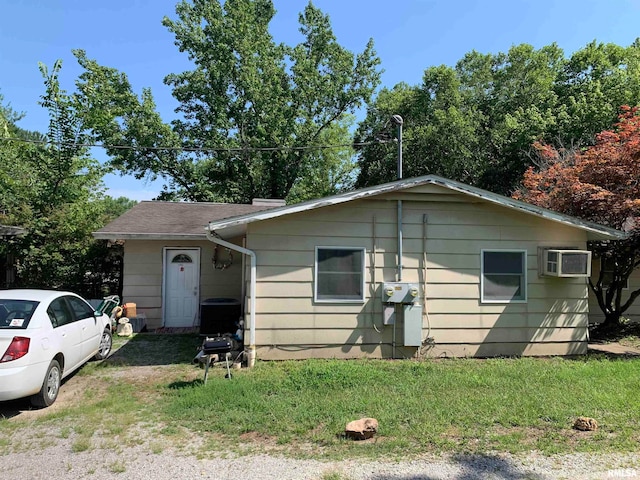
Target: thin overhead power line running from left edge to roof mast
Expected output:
[189,149]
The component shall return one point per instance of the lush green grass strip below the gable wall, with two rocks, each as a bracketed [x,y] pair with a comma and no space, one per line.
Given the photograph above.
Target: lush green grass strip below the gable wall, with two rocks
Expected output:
[460,405]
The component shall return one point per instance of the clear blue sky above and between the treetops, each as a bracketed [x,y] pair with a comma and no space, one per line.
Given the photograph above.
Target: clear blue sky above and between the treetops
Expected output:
[409,36]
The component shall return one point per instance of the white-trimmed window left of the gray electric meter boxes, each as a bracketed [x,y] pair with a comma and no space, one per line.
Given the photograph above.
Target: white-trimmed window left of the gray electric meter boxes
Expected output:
[339,274]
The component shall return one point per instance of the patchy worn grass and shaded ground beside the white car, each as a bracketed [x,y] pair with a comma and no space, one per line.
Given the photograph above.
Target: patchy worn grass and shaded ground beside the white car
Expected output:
[115,401]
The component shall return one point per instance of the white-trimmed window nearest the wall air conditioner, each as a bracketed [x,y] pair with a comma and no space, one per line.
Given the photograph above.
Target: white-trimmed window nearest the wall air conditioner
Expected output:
[504,276]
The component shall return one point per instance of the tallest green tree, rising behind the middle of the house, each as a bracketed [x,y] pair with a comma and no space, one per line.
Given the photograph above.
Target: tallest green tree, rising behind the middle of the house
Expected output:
[250,112]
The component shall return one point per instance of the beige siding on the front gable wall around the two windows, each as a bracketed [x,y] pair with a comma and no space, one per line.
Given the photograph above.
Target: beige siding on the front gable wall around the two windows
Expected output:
[290,325]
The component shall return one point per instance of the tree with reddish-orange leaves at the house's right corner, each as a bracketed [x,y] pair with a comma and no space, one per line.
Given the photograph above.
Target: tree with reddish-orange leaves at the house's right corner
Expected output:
[600,184]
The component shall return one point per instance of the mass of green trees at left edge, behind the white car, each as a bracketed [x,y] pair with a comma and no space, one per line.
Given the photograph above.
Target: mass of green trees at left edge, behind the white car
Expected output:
[52,188]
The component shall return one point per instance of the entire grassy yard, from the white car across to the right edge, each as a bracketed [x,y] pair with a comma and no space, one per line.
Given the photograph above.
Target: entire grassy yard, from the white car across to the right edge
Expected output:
[301,407]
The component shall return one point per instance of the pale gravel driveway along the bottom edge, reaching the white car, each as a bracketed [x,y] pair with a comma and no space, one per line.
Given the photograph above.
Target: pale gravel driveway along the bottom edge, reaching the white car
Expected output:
[42,455]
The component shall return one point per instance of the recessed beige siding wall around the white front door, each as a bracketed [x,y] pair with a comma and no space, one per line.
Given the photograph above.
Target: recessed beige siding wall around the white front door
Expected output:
[142,280]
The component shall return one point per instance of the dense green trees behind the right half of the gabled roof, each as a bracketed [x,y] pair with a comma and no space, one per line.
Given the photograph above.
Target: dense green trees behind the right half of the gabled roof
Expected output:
[477,122]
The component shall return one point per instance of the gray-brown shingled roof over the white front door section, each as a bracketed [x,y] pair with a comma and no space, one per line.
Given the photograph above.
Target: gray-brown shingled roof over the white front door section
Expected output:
[177,220]
